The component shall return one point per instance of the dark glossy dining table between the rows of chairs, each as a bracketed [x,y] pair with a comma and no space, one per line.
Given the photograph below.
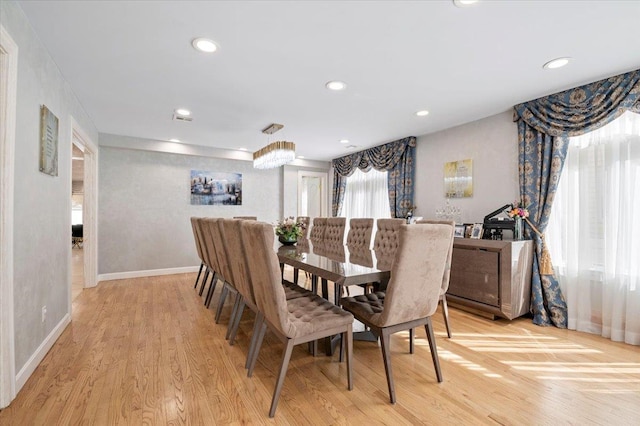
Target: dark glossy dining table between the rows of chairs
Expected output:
[338,263]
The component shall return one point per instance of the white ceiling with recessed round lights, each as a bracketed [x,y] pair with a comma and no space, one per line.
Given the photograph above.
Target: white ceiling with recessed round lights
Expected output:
[131,64]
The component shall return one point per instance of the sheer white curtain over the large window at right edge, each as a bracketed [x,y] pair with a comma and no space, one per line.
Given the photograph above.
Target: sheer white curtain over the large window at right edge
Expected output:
[594,231]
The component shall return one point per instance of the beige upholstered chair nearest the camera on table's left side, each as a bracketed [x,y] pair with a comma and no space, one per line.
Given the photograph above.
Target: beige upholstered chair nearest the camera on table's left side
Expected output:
[295,321]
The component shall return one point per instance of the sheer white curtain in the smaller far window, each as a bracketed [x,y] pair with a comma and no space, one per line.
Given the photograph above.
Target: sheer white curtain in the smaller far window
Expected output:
[366,195]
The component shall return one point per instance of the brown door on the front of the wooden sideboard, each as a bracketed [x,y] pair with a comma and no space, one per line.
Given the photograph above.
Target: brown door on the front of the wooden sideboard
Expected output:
[475,275]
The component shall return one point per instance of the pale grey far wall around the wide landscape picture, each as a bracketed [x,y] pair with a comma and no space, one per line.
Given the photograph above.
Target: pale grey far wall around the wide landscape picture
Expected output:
[144,204]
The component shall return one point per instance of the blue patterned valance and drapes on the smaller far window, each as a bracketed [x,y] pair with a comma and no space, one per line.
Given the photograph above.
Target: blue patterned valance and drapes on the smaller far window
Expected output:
[397,158]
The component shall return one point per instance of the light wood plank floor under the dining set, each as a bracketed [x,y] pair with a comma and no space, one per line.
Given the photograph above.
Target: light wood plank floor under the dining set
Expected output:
[146,351]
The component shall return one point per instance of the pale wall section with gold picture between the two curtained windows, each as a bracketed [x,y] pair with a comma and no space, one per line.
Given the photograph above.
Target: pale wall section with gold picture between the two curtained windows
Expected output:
[492,144]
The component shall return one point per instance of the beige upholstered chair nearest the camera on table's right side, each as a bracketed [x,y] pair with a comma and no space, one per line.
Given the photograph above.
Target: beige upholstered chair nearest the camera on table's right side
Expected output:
[413,292]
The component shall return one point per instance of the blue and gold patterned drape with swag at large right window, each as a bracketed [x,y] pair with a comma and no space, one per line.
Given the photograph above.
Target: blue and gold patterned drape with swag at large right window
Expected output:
[543,128]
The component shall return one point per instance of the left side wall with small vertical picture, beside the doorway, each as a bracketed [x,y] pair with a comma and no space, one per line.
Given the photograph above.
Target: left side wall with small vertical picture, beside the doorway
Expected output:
[42,232]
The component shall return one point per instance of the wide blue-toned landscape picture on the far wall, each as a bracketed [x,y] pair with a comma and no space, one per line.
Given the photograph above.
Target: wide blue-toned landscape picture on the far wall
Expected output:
[215,188]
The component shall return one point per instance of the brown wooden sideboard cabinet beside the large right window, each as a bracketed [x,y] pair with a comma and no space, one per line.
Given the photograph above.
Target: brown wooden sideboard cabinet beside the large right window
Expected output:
[491,277]
